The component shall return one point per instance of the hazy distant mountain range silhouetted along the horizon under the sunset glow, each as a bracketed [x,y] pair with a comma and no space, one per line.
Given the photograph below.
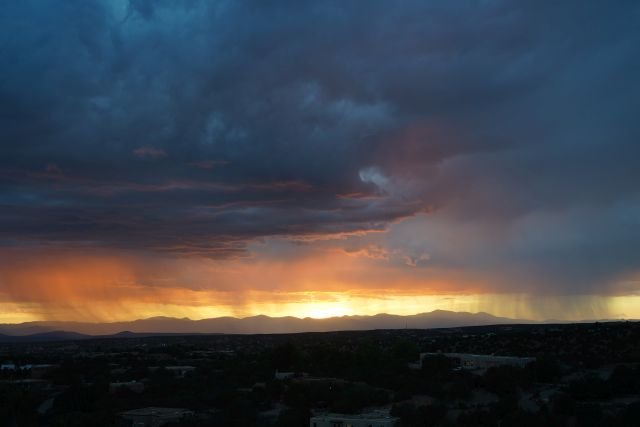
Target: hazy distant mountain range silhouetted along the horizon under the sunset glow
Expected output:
[257,324]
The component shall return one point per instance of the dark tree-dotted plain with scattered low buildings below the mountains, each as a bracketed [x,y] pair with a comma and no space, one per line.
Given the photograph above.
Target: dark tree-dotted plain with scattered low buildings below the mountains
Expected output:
[584,374]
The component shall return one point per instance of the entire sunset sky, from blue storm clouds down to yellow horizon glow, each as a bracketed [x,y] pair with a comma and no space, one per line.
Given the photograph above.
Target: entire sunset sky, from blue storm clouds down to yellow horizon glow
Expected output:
[208,158]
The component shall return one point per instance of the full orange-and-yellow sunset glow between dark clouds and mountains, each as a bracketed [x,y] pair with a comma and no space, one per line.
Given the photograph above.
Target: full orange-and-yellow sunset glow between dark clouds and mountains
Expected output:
[102,287]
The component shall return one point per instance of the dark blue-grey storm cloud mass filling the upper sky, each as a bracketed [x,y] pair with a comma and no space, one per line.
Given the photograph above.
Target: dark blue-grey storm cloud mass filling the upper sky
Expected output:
[197,126]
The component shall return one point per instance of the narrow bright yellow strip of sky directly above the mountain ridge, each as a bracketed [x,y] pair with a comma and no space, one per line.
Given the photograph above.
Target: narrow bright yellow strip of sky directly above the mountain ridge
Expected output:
[336,304]
